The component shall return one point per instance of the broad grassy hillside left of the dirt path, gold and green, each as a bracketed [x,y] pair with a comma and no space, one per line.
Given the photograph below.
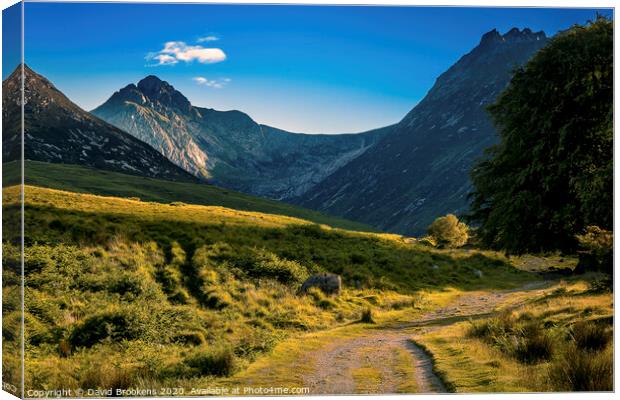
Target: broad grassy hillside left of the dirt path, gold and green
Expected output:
[123,293]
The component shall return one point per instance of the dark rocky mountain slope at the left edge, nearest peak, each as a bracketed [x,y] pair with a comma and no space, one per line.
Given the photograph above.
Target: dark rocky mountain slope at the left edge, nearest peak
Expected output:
[56,130]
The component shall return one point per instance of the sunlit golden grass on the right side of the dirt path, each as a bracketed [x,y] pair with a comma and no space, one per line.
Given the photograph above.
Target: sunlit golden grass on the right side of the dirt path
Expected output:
[474,364]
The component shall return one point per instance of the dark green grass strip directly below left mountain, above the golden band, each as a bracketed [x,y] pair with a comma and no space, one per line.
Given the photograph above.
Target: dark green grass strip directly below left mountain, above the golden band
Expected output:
[81,179]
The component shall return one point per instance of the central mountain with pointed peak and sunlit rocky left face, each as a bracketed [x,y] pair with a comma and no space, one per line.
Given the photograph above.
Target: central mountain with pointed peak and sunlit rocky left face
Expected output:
[228,148]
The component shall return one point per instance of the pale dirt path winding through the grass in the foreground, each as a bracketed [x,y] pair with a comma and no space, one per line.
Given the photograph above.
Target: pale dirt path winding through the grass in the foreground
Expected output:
[373,363]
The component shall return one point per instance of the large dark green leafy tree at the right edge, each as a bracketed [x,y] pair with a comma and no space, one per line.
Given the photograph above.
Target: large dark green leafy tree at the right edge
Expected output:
[551,175]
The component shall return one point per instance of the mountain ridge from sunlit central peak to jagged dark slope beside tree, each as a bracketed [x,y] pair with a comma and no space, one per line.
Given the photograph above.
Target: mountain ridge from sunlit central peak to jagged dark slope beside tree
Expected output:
[396,178]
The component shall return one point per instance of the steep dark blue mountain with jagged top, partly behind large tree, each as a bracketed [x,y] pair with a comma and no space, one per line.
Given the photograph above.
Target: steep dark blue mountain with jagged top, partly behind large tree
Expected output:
[420,170]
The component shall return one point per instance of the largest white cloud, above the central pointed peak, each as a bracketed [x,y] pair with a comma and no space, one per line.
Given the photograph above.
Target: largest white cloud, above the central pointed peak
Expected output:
[173,52]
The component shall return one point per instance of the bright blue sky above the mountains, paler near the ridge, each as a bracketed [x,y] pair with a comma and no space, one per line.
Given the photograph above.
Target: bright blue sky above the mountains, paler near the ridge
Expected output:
[314,69]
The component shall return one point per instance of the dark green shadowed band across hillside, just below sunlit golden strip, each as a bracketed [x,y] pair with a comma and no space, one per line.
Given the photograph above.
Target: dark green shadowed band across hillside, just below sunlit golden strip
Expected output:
[363,261]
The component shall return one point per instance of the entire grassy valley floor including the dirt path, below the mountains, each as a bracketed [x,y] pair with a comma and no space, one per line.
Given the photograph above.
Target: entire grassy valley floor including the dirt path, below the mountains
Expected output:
[125,293]
